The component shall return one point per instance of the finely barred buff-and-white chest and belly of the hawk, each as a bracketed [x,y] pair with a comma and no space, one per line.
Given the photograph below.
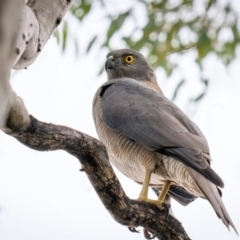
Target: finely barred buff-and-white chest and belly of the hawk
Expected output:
[127,156]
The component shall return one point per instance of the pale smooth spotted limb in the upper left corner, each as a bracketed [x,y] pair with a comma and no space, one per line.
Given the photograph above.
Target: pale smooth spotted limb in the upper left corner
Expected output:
[38,20]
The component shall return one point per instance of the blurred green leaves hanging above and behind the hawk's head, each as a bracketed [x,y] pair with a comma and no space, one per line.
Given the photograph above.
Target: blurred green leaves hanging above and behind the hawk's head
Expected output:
[209,26]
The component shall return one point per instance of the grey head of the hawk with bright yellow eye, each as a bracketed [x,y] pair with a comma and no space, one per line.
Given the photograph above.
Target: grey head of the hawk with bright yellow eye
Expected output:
[127,63]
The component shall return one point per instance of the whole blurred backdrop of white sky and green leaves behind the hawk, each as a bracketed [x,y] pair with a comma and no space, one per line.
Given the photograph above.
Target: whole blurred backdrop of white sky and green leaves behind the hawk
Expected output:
[194,47]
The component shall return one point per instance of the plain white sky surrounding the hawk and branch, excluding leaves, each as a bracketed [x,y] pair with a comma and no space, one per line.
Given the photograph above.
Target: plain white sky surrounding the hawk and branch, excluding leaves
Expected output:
[43,196]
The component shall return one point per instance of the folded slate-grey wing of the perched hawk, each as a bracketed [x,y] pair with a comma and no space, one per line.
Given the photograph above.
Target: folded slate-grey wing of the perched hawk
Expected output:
[148,118]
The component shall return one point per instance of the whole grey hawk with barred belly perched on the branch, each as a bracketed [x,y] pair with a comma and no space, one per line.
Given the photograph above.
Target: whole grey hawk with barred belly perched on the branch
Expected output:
[149,139]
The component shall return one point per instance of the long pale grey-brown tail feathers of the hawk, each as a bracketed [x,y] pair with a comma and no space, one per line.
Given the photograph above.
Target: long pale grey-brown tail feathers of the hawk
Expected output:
[211,193]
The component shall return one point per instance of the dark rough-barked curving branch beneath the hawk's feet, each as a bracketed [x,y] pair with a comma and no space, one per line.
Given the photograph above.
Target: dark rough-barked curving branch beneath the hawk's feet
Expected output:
[94,160]
